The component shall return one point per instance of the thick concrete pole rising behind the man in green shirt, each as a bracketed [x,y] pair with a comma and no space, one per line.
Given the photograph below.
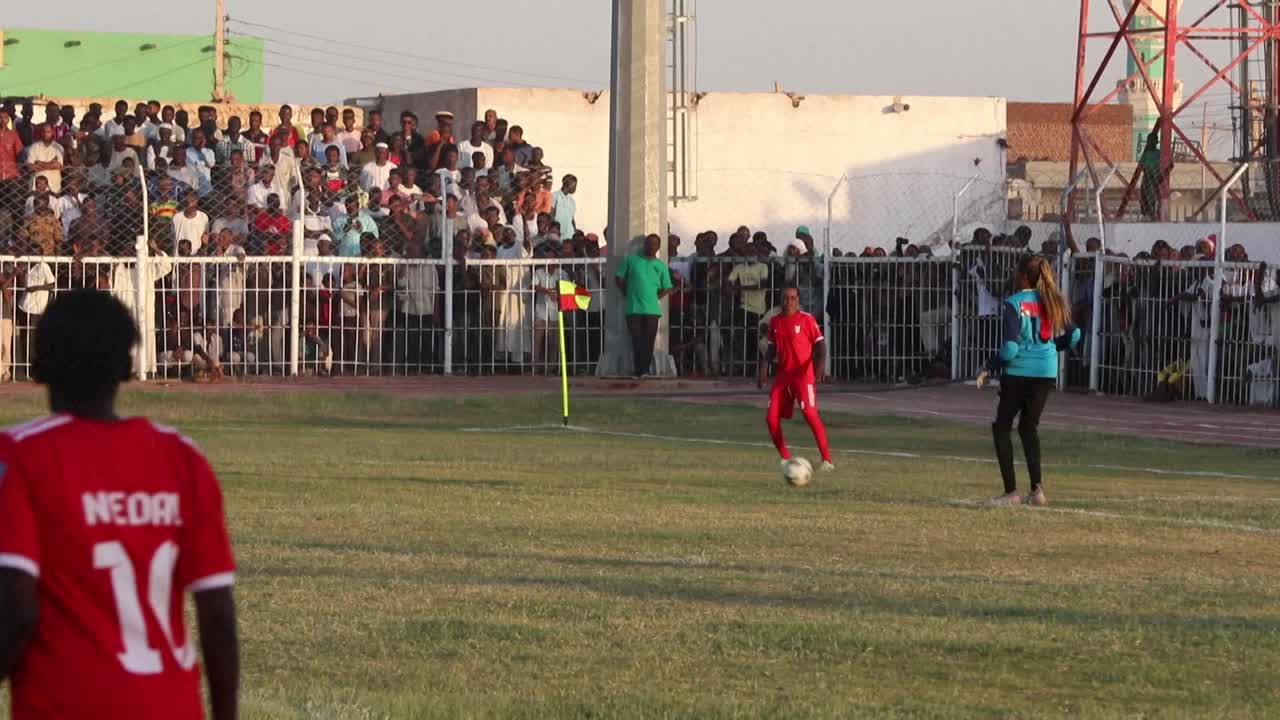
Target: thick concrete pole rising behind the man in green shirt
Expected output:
[638,167]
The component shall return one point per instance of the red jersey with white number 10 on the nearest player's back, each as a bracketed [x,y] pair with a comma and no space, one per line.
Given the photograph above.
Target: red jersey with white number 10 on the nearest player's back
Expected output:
[118,521]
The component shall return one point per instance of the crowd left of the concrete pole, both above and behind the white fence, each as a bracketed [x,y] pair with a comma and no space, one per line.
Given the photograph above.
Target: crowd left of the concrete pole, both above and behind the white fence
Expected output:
[89,189]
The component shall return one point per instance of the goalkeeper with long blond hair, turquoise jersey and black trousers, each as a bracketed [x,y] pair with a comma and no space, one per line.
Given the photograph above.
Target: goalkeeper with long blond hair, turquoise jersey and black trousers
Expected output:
[1036,327]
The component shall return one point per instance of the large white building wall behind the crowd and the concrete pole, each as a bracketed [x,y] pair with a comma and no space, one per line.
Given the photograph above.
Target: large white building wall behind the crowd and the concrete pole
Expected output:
[770,161]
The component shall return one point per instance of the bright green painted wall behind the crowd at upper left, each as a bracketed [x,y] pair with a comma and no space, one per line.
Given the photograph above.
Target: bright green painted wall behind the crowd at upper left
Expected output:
[109,65]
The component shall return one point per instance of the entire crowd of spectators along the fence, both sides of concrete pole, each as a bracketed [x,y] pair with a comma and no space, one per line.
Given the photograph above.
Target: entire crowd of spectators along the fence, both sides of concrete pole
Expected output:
[85,188]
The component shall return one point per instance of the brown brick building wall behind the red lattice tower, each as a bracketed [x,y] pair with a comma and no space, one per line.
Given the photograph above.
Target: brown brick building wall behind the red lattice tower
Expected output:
[1043,131]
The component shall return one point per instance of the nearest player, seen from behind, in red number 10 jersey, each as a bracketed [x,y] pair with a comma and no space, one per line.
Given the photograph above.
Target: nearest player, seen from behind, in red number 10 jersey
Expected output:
[106,525]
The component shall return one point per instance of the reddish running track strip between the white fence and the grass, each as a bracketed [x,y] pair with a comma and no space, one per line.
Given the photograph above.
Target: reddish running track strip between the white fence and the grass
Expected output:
[1182,422]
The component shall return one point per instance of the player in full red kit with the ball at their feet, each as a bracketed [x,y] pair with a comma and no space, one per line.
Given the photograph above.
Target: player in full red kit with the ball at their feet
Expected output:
[797,343]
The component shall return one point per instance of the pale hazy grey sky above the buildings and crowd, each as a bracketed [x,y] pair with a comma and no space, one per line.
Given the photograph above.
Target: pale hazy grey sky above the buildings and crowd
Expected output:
[1017,49]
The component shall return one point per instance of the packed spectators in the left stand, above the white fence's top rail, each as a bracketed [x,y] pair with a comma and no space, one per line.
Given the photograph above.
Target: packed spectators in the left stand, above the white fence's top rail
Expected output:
[203,177]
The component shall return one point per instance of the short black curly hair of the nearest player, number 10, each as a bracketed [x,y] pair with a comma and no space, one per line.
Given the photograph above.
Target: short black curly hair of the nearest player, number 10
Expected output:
[85,344]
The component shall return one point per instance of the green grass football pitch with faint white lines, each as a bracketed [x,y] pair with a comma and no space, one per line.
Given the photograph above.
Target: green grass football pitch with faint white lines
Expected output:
[396,567]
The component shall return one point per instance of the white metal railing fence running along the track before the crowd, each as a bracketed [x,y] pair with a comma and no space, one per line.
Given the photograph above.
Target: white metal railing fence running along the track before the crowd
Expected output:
[1154,330]
